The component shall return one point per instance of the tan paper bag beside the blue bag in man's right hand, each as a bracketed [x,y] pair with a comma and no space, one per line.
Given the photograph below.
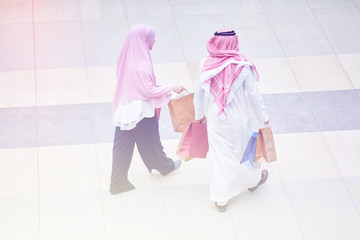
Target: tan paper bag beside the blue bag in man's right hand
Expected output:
[265,145]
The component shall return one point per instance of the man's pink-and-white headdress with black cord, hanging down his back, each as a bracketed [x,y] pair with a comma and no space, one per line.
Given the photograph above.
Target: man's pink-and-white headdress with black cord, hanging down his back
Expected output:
[221,50]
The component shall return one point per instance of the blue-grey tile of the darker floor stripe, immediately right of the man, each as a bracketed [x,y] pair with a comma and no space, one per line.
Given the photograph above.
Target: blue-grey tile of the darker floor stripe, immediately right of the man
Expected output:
[289,113]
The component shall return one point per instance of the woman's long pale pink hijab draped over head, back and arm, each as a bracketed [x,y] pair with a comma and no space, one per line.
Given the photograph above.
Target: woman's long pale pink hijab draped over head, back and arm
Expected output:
[135,72]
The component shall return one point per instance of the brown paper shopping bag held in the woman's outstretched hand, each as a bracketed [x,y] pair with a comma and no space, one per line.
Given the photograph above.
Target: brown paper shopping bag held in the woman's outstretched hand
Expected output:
[182,111]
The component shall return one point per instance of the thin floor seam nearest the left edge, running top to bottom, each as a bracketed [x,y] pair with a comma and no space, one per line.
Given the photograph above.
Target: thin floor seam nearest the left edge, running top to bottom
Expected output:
[36,116]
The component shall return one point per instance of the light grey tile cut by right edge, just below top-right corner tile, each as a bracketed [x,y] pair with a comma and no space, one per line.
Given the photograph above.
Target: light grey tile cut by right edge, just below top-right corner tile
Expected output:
[337,15]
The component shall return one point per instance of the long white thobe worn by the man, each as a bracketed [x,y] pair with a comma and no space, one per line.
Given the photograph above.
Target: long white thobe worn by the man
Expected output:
[229,134]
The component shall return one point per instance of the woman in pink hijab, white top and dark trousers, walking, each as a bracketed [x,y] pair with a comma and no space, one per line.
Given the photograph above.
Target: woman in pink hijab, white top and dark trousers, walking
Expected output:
[136,98]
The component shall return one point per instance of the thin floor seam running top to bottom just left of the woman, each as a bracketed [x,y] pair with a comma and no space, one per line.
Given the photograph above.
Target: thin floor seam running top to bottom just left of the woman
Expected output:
[92,120]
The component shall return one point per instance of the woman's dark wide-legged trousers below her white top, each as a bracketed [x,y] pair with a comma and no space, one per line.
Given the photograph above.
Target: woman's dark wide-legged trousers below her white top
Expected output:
[147,139]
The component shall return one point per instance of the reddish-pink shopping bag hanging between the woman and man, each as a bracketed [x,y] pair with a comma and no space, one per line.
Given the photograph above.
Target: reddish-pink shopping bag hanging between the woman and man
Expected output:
[193,142]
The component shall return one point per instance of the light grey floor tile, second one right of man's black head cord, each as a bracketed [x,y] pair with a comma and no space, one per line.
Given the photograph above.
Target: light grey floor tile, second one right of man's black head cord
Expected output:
[299,32]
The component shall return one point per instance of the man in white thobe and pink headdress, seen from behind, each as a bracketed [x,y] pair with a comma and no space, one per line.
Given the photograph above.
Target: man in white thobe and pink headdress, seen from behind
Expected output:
[226,92]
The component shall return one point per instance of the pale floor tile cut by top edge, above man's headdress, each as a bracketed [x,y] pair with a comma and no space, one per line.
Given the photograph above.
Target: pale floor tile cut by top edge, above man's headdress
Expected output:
[239,6]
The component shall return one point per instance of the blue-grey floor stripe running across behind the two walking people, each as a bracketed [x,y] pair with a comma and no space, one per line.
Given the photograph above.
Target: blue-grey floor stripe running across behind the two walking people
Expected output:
[91,123]
